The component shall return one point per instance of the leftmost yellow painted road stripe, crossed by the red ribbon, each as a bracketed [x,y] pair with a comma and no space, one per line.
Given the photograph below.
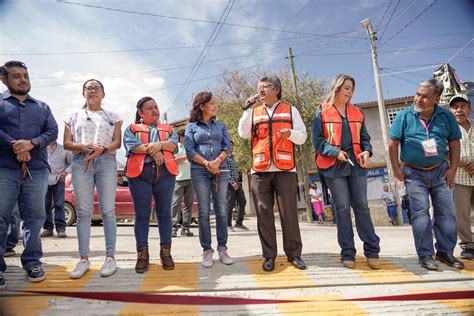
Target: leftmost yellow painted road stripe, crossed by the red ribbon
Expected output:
[57,279]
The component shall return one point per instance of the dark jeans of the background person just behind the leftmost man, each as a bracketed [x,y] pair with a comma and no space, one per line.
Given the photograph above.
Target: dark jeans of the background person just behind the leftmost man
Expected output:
[55,198]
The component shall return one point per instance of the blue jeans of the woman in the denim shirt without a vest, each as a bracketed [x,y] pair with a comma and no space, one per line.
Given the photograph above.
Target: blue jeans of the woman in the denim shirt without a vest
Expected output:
[204,185]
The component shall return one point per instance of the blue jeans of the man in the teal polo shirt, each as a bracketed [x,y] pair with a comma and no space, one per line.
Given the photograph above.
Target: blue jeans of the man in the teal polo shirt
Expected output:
[419,186]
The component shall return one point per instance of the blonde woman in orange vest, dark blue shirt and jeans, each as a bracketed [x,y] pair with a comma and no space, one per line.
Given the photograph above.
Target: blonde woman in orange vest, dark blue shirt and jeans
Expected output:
[343,148]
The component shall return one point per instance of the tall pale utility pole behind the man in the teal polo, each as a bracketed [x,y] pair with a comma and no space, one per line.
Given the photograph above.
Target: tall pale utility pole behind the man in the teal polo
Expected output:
[383,118]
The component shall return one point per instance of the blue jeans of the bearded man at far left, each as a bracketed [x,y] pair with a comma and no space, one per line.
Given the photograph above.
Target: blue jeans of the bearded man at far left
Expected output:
[30,196]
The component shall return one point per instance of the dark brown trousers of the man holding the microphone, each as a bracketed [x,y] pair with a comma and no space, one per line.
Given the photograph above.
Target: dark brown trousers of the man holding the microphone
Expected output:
[265,185]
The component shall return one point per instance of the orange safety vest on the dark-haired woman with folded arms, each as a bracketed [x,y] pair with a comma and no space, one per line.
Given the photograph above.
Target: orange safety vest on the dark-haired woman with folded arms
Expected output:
[135,162]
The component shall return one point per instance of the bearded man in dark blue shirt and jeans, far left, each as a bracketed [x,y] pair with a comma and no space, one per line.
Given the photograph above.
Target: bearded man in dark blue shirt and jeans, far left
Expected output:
[27,126]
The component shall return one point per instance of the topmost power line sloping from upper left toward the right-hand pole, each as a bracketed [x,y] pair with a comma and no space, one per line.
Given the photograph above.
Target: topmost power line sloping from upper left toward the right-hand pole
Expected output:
[202,21]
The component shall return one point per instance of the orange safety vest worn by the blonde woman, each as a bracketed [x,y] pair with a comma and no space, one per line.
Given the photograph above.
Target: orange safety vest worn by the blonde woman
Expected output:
[332,129]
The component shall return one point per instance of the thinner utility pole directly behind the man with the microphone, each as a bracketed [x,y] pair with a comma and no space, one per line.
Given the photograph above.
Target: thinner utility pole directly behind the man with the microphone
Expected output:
[302,164]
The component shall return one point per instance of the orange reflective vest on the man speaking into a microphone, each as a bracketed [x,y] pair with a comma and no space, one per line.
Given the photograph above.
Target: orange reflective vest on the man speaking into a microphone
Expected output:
[267,146]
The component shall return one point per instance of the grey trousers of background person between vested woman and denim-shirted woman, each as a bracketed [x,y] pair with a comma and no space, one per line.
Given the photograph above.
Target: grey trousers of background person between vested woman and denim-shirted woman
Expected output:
[183,192]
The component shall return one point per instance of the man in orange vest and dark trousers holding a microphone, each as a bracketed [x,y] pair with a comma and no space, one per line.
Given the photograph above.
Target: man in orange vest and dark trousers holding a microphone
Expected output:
[274,127]
